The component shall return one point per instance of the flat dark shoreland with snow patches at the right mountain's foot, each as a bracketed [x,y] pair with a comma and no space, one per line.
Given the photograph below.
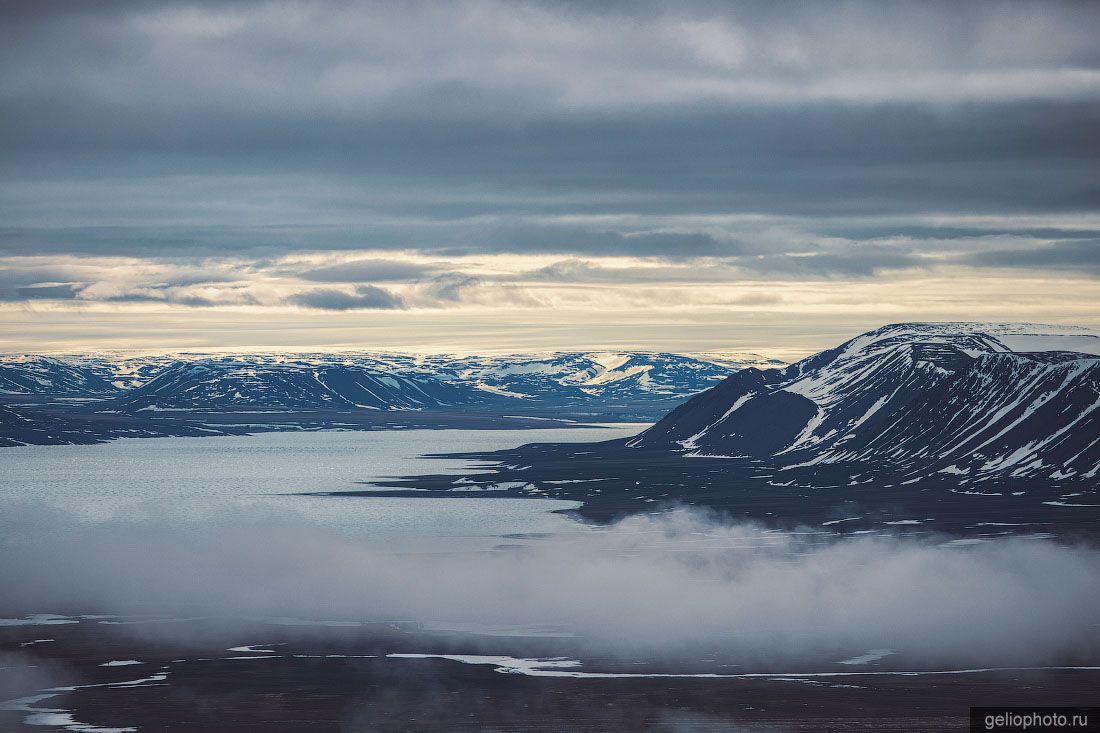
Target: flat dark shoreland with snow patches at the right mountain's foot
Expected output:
[614,480]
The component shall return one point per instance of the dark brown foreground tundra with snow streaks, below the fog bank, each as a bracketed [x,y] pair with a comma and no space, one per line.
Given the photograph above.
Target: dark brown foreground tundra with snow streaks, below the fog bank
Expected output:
[347,680]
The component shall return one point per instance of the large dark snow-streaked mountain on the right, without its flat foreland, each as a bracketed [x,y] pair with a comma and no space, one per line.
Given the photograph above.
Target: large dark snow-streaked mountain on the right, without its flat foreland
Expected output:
[972,401]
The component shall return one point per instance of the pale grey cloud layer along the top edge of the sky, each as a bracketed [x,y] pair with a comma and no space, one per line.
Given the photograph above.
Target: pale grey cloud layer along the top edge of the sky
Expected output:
[498,58]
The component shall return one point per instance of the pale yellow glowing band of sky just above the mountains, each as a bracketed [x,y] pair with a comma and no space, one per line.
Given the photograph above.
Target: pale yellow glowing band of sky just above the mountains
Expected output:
[511,303]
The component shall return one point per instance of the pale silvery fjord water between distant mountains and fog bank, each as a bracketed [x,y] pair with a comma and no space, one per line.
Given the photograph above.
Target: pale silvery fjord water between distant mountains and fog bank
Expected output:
[270,476]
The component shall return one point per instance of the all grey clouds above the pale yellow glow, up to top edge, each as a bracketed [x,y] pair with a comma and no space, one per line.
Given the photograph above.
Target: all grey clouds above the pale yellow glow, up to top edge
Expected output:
[252,128]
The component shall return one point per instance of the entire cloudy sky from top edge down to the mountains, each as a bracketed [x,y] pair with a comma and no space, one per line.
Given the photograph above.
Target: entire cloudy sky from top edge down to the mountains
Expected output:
[545,176]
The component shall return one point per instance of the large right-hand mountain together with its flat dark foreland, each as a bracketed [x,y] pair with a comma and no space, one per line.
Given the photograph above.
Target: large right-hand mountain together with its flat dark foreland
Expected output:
[975,430]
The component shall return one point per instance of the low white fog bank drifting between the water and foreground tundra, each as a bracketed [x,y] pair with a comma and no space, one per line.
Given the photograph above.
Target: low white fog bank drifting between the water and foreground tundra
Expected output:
[674,586]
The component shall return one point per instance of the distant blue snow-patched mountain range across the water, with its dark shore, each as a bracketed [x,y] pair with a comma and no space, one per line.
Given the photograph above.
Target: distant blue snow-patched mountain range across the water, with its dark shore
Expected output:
[86,398]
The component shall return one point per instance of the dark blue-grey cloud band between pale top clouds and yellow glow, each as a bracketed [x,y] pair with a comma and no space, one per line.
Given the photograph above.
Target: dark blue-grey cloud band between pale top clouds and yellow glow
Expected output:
[450,200]
